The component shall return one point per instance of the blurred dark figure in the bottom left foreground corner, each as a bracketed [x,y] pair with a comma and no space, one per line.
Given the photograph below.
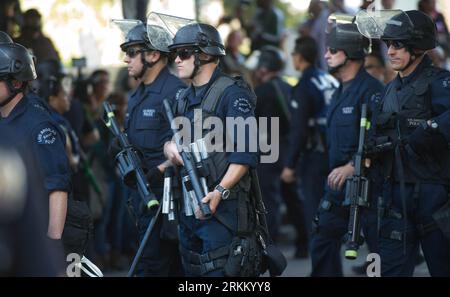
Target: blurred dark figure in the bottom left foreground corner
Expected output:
[25,248]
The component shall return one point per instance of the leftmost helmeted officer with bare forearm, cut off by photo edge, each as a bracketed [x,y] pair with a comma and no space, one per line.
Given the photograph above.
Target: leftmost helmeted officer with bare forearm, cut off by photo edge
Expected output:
[34,129]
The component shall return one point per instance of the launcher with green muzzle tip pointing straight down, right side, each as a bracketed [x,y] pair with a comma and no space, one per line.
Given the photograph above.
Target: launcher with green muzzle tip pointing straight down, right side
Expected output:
[357,192]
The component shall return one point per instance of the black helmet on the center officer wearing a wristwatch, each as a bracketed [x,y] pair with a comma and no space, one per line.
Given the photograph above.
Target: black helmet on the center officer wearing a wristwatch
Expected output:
[203,36]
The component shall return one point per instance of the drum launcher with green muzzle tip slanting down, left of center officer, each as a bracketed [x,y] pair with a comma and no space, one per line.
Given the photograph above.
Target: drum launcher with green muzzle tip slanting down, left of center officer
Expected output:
[128,162]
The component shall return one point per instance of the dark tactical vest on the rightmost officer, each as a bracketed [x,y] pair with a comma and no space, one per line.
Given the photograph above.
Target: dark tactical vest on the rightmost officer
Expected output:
[414,108]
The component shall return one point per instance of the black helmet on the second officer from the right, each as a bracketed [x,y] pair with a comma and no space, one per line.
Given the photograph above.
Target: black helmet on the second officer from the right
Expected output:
[346,37]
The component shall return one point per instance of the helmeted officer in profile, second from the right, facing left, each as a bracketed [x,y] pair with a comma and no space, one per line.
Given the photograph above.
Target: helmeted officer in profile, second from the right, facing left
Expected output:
[345,57]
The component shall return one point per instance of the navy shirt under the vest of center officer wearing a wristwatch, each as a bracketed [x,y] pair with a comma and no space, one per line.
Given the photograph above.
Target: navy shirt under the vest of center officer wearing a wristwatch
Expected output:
[235,103]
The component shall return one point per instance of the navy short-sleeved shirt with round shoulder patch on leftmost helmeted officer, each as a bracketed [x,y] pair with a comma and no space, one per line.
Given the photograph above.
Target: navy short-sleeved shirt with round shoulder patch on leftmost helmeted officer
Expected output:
[35,130]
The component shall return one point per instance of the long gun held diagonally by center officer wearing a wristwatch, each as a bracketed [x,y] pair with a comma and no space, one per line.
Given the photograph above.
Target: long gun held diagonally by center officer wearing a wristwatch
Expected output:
[189,165]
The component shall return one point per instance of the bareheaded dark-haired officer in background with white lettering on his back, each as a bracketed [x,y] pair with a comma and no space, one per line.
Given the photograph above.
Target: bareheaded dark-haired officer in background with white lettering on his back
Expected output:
[307,138]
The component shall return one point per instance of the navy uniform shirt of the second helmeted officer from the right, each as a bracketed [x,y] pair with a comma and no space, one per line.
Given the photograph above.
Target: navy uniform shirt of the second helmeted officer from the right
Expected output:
[344,115]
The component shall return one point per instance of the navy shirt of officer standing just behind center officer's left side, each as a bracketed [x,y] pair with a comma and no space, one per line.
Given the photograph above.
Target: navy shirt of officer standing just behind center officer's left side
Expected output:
[145,122]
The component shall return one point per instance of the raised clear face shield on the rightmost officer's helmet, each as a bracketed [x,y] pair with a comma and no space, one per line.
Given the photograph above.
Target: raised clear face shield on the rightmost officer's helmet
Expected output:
[384,24]
